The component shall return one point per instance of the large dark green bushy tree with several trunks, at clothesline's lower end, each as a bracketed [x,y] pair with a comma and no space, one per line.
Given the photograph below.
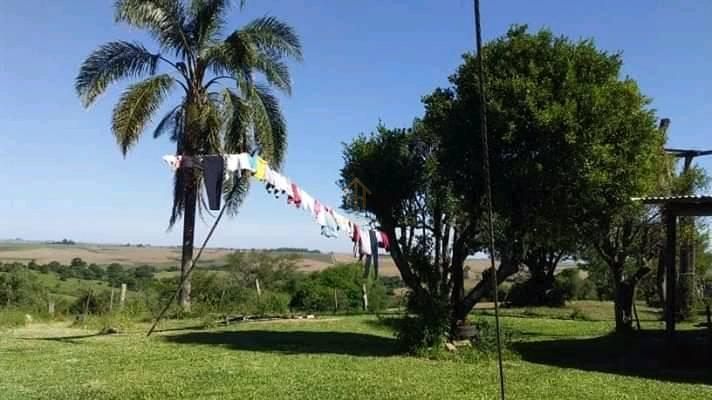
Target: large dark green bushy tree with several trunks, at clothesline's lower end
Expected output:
[571,141]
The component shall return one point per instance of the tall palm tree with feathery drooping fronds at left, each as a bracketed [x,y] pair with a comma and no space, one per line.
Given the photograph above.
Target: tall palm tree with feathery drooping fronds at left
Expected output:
[223,107]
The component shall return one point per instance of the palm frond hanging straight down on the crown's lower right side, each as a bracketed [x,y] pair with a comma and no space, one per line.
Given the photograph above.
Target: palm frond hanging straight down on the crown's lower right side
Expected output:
[270,127]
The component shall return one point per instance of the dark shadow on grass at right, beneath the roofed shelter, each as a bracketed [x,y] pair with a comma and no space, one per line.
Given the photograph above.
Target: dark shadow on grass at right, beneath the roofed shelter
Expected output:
[643,355]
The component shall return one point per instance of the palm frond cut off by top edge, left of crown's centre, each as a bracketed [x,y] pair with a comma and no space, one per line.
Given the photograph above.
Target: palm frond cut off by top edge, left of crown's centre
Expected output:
[164,19]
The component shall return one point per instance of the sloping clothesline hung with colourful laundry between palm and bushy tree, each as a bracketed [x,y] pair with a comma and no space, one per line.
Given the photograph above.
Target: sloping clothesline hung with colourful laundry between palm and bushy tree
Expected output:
[218,168]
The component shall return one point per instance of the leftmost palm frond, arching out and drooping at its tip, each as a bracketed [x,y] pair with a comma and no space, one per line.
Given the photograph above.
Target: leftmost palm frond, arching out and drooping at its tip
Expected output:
[109,63]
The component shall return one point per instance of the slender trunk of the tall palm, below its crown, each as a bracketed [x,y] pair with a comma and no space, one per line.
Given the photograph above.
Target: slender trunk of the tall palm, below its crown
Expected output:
[190,204]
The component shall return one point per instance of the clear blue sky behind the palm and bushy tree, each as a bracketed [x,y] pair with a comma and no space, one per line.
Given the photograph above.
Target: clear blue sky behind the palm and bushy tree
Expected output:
[62,174]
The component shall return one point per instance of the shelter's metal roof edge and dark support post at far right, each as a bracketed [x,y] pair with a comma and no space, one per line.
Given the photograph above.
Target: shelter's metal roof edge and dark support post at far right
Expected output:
[673,207]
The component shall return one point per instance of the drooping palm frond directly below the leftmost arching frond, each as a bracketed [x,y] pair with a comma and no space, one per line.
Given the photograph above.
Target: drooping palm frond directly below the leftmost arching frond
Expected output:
[135,108]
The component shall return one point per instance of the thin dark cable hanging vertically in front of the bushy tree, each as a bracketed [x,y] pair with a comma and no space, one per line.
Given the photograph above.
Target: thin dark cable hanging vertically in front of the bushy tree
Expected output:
[488,185]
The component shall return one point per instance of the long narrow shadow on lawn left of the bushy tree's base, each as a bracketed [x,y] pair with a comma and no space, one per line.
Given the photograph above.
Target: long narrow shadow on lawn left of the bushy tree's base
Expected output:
[294,342]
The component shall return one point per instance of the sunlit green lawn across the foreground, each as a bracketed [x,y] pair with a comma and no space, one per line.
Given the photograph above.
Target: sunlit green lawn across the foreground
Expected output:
[330,358]
